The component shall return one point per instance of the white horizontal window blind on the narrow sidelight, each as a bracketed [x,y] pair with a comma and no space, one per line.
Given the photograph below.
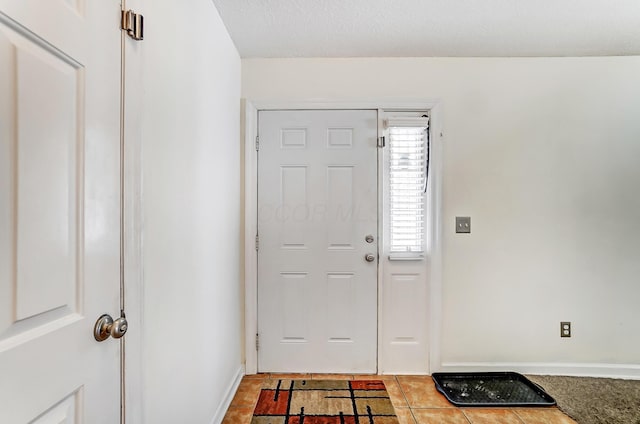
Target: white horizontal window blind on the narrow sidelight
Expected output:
[408,158]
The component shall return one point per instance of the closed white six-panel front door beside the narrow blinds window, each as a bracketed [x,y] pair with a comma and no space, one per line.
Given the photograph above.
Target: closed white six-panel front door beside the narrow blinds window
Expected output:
[317,220]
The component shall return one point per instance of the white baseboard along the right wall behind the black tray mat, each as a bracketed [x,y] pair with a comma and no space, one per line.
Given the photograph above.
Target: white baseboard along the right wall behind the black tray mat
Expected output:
[624,371]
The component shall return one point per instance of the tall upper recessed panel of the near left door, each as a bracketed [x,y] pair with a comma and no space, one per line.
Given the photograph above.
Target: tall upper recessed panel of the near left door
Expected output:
[47,174]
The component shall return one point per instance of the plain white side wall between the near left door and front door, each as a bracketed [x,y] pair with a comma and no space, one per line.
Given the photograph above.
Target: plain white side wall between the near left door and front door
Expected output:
[191,199]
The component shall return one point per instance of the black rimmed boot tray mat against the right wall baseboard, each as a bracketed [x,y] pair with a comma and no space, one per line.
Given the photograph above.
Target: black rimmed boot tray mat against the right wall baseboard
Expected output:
[491,389]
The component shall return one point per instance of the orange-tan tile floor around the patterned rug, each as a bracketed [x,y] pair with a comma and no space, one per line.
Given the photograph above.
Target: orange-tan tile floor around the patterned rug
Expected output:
[415,399]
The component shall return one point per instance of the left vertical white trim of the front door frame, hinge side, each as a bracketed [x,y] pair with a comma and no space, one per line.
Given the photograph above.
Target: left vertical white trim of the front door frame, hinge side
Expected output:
[249,128]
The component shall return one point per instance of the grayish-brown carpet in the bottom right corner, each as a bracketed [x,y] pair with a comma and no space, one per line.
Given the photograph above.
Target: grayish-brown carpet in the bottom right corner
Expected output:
[594,400]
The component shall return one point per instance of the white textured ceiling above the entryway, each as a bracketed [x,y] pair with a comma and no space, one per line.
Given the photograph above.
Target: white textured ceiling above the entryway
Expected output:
[381,28]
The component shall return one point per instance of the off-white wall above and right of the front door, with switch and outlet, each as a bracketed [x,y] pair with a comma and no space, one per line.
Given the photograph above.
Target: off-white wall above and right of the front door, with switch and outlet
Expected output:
[543,154]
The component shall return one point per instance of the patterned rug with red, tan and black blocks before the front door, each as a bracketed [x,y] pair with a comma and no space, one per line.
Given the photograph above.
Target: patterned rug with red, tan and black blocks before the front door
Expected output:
[324,402]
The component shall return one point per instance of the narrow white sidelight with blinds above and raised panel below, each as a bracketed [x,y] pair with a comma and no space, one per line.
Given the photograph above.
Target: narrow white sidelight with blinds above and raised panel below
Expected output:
[406,251]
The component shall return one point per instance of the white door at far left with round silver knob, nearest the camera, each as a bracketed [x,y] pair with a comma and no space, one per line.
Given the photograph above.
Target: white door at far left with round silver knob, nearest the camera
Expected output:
[59,210]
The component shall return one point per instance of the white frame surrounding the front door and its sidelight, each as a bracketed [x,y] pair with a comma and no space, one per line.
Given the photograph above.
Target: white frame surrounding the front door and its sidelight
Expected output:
[249,181]
